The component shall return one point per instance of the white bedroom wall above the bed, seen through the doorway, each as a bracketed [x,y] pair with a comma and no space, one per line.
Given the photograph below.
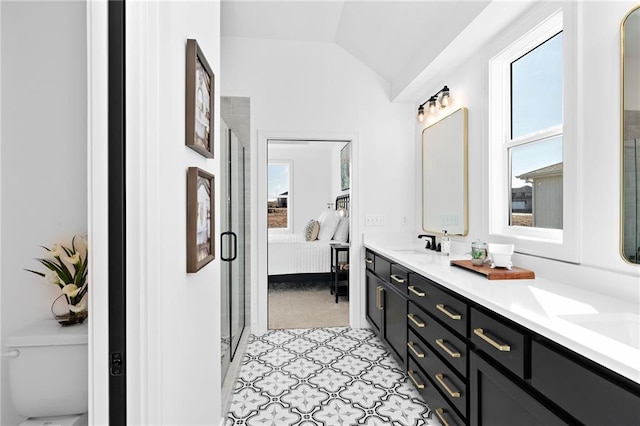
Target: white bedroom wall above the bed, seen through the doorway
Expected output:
[311,179]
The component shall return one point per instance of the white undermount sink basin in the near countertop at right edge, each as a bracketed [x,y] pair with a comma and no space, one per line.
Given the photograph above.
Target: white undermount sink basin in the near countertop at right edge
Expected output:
[623,327]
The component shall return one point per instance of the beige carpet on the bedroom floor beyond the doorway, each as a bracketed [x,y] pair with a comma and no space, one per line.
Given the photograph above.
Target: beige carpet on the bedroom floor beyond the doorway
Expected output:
[307,308]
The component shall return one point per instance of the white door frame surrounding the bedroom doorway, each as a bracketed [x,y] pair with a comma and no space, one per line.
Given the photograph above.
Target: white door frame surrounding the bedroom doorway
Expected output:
[259,291]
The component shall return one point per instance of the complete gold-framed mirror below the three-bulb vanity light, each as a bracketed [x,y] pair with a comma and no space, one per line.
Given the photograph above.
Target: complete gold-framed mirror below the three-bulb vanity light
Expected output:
[444,175]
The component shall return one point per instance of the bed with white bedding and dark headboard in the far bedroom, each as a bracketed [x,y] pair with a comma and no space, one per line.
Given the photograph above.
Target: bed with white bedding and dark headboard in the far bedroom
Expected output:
[292,258]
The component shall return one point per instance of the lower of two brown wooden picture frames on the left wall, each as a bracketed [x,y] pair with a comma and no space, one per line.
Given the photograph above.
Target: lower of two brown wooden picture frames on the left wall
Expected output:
[200,218]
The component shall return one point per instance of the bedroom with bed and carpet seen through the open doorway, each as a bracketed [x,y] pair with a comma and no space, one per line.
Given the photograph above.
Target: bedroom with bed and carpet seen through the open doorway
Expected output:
[308,193]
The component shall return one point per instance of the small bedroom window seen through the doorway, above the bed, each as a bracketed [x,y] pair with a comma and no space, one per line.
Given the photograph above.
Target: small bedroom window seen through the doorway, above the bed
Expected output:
[278,195]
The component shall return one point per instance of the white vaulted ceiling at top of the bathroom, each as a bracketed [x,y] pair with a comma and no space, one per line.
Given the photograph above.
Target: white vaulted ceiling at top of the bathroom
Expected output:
[396,39]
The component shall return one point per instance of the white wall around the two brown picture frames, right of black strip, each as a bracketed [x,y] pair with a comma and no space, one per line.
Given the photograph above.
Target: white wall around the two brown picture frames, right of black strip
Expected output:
[173,317]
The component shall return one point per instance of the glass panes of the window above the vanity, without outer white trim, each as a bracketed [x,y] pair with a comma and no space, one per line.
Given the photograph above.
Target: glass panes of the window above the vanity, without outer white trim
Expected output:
[534,148]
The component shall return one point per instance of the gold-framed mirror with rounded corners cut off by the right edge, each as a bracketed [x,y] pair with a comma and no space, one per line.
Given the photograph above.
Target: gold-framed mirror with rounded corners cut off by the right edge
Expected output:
[630,131]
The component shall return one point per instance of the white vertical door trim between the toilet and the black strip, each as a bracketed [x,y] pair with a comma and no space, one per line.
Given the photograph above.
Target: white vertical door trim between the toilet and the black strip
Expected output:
[98,203]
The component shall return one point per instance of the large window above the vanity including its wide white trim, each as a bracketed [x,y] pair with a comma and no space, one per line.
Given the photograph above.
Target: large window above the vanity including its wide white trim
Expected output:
[532,148]
